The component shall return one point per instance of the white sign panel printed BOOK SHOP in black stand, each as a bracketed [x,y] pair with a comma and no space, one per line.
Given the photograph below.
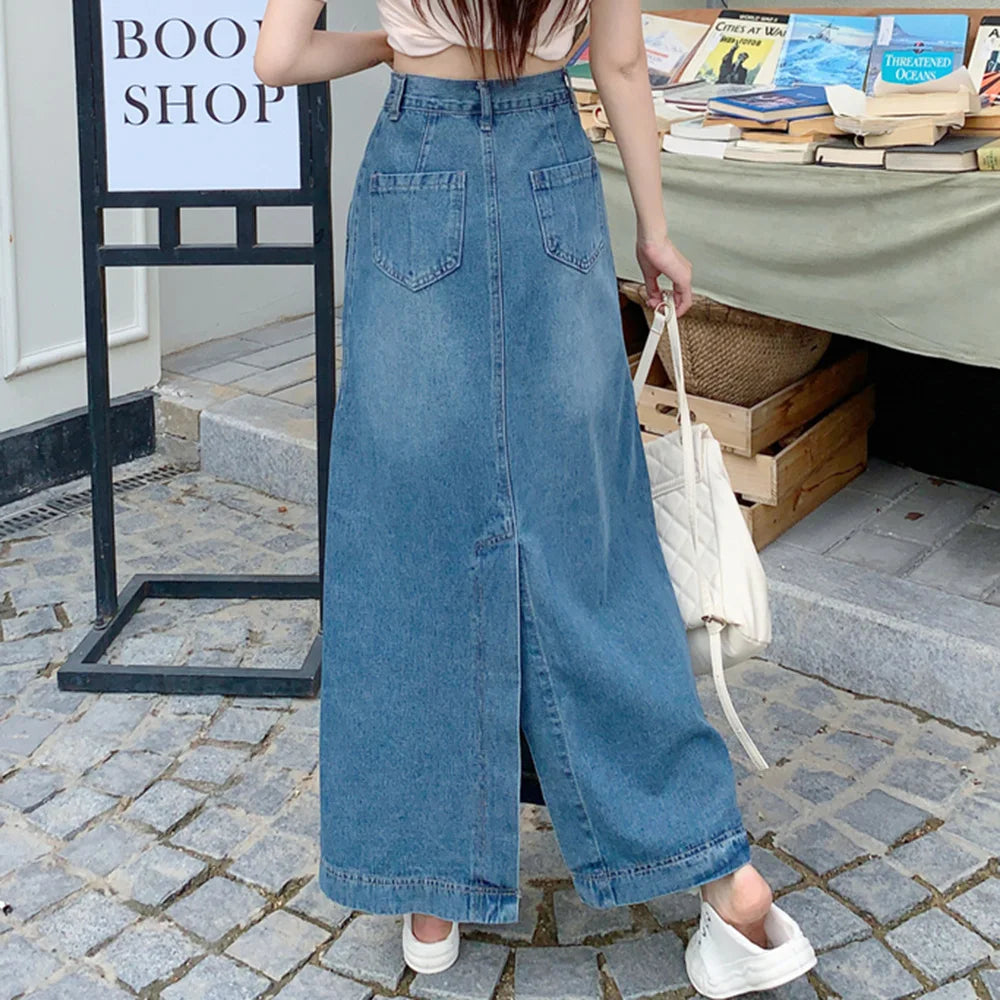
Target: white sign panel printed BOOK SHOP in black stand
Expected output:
[184,109]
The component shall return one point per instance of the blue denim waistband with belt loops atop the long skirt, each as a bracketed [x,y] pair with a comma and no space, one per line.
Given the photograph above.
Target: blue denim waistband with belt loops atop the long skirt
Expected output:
[473,96]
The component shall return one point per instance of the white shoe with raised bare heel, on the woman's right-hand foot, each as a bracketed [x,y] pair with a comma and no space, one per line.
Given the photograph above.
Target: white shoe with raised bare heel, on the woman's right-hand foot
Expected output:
[721,962]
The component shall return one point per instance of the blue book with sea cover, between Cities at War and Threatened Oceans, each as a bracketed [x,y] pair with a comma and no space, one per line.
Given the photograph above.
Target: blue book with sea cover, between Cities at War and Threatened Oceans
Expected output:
[826,50]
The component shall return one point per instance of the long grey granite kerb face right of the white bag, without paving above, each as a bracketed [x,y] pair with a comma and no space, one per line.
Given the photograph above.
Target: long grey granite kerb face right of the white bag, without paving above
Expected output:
[885,636]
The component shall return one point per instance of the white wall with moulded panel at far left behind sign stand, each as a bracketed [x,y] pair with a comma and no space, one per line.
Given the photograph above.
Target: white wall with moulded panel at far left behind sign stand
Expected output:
[42,370]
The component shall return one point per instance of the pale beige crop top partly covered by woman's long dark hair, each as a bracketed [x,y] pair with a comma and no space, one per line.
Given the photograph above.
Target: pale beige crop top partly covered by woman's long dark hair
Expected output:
[408,34]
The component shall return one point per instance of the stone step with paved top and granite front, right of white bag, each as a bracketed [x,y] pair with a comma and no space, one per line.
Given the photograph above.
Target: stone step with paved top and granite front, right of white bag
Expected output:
[892,588]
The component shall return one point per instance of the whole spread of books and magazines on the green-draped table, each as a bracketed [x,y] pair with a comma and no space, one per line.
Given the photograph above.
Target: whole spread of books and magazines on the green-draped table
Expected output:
[771,88]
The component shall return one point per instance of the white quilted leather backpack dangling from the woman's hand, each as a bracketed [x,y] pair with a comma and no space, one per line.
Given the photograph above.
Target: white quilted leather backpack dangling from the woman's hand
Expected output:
[717,575]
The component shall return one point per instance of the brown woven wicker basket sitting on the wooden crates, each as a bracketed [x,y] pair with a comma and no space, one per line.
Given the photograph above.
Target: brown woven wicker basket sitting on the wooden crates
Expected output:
[740,357]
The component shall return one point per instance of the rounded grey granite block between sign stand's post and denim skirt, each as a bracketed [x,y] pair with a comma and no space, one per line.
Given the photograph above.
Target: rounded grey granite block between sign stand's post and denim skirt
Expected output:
[264,443]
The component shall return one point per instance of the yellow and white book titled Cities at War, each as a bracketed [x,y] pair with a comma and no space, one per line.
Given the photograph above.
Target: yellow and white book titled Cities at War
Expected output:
[740,48]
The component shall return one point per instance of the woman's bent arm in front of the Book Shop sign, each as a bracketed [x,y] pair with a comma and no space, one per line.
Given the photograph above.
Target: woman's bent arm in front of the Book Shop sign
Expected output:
[290,50]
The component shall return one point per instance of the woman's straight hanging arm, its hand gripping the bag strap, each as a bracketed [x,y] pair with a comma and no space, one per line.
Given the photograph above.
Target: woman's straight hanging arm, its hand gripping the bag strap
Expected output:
[618,64]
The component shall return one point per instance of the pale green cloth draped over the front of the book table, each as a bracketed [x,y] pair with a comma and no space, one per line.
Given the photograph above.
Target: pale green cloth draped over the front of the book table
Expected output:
[909,260]
